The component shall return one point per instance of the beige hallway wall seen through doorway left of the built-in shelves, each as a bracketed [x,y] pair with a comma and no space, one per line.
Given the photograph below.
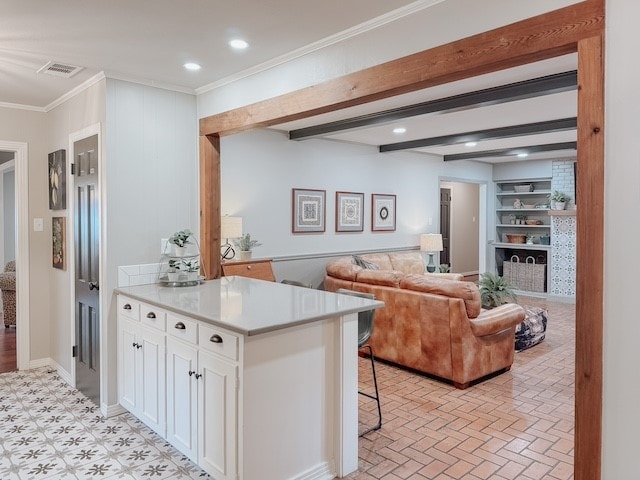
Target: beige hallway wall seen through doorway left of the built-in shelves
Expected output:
[465,211]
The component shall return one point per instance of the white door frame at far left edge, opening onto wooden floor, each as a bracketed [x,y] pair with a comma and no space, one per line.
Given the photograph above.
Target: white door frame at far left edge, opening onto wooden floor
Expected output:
[23,347]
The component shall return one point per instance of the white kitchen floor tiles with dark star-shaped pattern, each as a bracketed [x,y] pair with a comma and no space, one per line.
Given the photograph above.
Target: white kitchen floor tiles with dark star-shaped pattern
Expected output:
[49,430]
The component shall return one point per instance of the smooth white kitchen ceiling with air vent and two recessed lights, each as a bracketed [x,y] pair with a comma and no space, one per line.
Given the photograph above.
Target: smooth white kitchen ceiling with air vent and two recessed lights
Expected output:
[150,40]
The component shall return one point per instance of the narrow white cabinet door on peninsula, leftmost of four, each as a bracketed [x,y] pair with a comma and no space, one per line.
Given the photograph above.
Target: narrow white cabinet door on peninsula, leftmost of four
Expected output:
[127,354]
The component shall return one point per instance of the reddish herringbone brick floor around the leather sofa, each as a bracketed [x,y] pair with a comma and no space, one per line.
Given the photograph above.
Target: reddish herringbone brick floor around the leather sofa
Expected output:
[518,425]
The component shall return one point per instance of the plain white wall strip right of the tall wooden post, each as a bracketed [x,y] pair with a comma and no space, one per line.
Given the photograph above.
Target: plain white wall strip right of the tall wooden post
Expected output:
[621,417]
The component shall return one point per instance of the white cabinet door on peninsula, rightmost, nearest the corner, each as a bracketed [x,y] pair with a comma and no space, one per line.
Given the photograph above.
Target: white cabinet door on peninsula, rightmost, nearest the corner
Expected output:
[217,416]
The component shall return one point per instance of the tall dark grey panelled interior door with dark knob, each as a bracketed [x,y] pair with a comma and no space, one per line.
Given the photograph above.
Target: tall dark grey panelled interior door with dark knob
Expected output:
[87,248]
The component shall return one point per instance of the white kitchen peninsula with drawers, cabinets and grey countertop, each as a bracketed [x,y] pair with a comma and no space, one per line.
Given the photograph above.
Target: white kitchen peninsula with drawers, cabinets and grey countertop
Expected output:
[250,379]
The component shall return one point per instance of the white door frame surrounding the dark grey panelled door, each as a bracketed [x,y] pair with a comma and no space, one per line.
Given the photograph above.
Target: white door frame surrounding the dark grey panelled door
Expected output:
[86,132]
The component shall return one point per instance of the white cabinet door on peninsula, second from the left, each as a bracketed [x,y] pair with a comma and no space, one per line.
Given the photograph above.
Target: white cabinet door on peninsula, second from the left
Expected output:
[151,383]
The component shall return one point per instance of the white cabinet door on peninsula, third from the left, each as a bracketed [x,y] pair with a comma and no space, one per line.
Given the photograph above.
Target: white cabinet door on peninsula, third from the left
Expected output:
[182,399]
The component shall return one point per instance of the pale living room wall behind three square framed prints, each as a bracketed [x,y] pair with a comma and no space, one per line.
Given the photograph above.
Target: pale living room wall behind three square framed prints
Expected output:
[260,168]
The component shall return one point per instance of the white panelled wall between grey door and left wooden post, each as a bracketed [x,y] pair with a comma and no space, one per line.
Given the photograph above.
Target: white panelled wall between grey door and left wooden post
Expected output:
[151,182]
